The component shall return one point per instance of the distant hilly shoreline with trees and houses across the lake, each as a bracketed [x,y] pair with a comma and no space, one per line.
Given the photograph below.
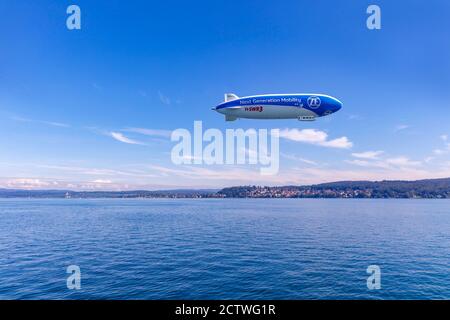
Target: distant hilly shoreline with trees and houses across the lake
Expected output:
[419,189]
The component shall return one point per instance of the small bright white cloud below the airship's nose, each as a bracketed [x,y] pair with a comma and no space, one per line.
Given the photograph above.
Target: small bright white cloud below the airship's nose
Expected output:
[316,137]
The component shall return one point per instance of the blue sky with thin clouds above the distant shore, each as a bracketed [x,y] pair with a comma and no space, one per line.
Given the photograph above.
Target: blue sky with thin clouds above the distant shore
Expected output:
[70,101]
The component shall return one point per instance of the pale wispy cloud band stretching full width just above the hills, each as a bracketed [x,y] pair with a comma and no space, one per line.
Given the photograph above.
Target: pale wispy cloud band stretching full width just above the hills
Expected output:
[223,176]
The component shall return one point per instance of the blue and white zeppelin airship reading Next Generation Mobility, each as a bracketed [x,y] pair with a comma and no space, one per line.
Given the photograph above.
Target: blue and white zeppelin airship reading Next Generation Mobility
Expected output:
[304,107]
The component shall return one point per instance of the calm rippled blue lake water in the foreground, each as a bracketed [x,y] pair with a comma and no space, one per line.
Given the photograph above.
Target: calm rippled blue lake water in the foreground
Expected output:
[224,248]
